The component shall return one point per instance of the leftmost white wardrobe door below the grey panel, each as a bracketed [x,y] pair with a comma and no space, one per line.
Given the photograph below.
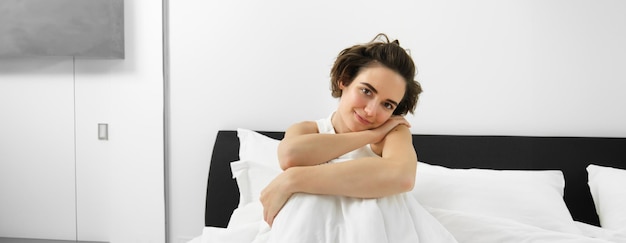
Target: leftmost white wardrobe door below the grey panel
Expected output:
[37,172]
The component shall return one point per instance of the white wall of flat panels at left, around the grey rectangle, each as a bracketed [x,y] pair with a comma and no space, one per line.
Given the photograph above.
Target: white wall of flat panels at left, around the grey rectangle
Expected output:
[49,141]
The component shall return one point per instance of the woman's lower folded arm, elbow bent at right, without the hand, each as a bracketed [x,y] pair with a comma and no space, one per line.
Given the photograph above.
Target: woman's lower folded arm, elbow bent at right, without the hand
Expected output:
[369,177]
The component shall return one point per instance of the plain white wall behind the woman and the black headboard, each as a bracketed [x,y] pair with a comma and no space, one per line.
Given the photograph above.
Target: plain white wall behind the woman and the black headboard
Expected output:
[519,67]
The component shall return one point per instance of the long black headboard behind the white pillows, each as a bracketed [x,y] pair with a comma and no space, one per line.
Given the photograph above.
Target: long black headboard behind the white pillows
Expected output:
[568,154]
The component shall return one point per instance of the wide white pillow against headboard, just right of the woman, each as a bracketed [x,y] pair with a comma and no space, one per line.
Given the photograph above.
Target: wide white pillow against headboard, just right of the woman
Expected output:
[530,197]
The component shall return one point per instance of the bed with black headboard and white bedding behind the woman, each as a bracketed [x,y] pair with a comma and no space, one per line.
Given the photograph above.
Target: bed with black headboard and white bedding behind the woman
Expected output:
[488,182]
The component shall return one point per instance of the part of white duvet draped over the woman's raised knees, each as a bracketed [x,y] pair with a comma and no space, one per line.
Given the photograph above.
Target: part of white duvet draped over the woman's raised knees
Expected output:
[397,218]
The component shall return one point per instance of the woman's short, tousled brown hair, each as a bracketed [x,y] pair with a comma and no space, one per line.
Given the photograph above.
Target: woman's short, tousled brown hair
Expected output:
[380,50]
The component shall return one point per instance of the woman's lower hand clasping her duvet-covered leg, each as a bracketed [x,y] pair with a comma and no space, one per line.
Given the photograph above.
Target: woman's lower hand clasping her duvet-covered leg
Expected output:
[275,195]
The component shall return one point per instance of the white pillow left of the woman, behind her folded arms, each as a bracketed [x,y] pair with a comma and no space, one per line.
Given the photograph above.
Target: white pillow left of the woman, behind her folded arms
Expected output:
[257,165]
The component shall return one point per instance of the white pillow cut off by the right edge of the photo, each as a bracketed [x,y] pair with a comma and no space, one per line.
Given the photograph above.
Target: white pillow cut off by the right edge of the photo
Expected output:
[609,195]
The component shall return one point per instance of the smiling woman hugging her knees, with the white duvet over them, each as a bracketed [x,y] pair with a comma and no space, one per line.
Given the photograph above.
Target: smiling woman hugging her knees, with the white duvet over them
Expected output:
[345,177]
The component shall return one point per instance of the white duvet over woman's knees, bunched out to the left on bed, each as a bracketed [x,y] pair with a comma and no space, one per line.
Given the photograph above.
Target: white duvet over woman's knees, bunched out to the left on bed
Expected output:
[311,218]
